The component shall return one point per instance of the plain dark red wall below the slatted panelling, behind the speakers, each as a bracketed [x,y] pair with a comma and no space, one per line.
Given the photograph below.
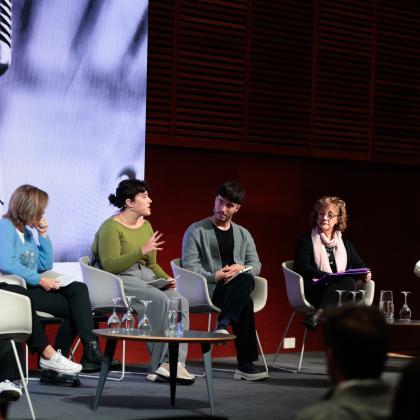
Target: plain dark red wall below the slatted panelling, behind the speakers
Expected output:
[381,199]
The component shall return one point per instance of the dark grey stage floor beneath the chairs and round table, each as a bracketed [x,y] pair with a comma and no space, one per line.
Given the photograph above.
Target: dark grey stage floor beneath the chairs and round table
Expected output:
[278,397]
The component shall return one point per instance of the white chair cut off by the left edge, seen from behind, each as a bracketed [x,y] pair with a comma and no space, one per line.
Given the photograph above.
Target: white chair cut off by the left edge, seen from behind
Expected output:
[16,328]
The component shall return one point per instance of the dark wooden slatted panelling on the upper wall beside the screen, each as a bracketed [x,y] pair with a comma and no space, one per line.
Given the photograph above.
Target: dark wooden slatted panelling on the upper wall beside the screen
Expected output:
[311,78]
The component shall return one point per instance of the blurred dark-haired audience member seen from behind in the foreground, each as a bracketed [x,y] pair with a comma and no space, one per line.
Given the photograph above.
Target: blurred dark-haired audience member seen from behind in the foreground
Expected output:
[356,339]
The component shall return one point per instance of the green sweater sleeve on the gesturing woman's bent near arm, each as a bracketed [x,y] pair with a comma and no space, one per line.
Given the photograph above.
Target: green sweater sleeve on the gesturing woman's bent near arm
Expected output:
[109,250]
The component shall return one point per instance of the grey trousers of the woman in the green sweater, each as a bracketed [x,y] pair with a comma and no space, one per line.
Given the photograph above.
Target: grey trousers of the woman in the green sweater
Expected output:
[134,280]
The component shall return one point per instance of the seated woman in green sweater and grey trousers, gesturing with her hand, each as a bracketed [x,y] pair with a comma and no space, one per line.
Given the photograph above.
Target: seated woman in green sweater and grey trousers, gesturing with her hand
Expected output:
[126,245]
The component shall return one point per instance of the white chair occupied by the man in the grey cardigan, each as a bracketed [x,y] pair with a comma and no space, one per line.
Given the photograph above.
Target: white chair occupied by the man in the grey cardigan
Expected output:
[193,287]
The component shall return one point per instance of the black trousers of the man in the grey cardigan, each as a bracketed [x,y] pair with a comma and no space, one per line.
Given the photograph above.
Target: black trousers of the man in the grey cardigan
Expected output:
[236,305]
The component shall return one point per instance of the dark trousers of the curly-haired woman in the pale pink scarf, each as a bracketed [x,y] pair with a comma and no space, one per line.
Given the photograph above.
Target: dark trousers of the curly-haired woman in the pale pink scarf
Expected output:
[324,295]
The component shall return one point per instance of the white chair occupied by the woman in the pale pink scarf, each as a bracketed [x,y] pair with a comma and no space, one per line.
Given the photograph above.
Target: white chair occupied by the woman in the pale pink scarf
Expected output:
[296,295]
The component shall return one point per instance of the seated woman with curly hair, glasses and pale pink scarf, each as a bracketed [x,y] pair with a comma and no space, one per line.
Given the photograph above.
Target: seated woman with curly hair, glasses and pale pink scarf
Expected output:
[323,250]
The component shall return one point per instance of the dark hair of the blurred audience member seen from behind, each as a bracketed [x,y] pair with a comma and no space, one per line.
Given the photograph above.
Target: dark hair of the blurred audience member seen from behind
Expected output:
[358,339]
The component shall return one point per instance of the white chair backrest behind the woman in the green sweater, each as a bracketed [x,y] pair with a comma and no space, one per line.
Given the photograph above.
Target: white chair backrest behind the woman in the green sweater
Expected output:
[102,286]
